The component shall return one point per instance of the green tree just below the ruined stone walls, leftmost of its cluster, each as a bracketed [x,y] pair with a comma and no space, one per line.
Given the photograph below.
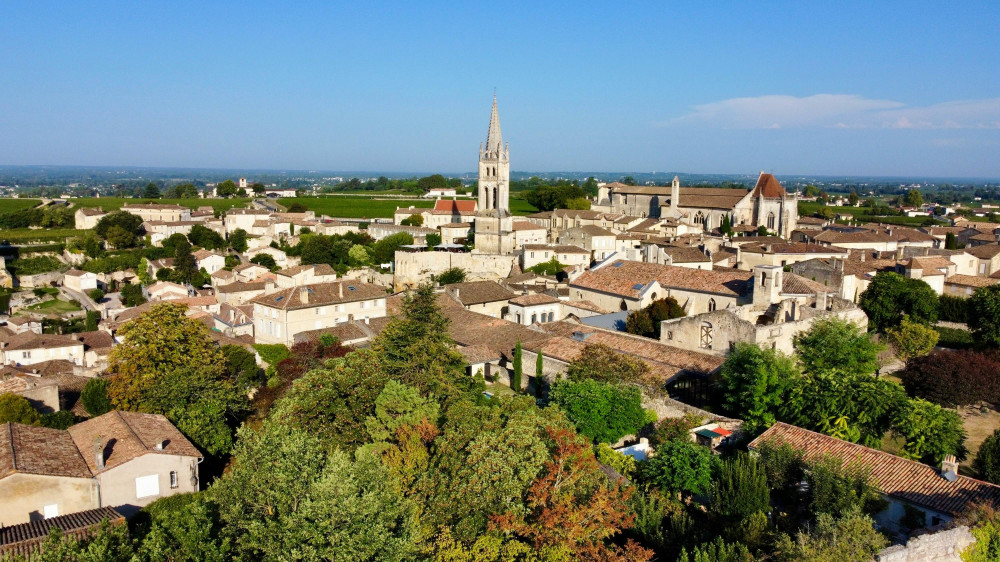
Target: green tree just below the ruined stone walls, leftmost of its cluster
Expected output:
[754,382]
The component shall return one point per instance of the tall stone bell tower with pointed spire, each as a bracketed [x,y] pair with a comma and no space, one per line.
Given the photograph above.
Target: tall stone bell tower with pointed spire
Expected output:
[494,224]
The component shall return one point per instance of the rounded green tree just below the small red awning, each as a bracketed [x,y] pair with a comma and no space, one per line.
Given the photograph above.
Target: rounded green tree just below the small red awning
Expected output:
[680,467]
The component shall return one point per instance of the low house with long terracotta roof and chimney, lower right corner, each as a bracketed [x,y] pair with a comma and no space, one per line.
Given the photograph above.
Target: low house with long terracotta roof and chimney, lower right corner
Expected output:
[909,487]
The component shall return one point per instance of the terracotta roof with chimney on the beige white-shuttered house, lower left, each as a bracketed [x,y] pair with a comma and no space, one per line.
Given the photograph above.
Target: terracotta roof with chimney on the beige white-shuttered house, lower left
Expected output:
[129,435]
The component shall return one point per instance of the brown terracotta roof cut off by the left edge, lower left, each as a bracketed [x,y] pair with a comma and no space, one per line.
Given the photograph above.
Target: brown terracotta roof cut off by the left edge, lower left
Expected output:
[39,450]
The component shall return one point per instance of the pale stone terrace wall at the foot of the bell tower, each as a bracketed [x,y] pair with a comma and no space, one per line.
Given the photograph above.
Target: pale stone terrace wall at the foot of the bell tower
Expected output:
[412,269]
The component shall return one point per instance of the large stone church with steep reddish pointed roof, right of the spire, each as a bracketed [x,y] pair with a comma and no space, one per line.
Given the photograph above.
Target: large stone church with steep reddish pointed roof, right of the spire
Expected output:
[767,204]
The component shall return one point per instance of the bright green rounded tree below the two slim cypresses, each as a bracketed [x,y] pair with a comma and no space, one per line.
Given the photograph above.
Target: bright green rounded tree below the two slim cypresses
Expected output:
[601,411]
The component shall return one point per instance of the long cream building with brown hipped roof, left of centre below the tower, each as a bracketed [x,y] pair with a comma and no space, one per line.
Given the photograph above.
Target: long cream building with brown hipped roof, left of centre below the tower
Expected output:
[282,314]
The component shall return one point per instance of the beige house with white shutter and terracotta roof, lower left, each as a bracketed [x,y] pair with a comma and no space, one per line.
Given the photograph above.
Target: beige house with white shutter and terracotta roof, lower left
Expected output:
[136,458]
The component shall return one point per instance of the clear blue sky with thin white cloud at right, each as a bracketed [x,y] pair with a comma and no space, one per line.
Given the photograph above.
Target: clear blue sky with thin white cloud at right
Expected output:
[848,88]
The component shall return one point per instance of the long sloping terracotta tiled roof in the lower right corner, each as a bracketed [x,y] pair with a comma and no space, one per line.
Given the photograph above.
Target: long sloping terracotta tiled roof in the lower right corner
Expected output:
[894,476]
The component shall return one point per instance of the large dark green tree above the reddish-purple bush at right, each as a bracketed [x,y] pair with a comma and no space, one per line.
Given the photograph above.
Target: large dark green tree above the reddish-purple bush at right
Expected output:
[890,295]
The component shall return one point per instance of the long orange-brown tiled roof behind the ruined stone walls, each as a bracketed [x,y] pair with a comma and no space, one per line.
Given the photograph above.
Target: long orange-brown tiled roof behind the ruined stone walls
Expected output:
[630,278]
